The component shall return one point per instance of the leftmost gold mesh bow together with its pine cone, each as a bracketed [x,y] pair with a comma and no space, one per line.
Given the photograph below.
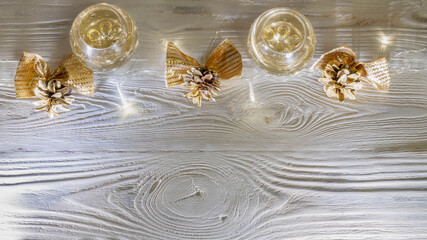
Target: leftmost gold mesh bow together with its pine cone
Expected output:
[34,78]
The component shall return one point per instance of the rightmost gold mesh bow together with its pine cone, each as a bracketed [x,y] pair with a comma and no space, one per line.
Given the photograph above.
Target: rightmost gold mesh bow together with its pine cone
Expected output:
[342,75]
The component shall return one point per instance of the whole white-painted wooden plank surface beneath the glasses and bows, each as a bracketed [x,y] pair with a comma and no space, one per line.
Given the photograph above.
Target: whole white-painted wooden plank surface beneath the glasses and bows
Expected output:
[292,164]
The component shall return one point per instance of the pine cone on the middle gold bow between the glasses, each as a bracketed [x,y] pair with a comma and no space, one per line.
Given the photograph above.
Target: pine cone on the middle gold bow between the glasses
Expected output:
[202,83]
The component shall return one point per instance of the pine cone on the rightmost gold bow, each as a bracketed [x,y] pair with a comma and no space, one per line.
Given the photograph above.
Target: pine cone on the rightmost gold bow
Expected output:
[340,80]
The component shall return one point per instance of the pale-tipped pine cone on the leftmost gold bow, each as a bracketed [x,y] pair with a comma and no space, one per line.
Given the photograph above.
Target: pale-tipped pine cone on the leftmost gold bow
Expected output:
[53,97]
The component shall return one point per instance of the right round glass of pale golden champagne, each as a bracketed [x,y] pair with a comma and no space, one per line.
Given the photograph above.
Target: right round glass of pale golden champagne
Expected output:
[281,41]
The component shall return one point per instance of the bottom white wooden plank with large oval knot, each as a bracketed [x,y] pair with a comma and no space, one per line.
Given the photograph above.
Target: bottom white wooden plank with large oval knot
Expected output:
[223,195]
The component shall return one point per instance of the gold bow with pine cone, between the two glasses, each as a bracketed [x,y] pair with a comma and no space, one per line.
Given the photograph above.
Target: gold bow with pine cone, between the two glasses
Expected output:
[225,62]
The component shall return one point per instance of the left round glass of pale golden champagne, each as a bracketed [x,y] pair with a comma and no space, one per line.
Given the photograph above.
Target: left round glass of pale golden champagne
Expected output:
[104,37]
